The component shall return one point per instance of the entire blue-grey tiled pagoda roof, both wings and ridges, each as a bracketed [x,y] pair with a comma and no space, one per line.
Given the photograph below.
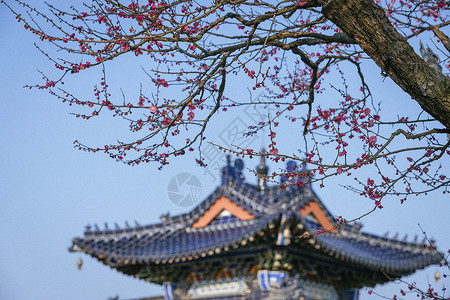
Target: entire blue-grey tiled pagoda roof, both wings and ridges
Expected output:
[174,239]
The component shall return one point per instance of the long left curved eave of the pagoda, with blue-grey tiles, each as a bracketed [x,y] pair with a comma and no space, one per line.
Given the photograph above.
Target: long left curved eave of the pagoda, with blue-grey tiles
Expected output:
[174,246]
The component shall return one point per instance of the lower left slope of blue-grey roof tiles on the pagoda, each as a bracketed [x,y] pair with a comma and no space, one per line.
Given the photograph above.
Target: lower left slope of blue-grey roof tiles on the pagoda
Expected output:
[162,244]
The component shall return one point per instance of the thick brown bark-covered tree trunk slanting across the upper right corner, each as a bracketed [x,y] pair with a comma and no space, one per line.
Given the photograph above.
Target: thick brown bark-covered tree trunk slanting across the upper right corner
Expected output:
[368,24]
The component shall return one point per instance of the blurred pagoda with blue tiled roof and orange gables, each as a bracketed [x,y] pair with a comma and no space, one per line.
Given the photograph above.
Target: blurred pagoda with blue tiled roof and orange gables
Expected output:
[256,242]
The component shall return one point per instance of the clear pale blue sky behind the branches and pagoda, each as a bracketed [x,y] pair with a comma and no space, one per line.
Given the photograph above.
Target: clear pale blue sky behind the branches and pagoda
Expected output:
[50,191]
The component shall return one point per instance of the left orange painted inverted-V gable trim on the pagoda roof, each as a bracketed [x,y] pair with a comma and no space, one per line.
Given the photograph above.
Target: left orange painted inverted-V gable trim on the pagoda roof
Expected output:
[223,203]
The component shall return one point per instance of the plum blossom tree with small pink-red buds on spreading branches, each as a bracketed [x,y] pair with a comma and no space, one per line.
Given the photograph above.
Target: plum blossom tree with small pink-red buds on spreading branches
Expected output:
[291,50]
